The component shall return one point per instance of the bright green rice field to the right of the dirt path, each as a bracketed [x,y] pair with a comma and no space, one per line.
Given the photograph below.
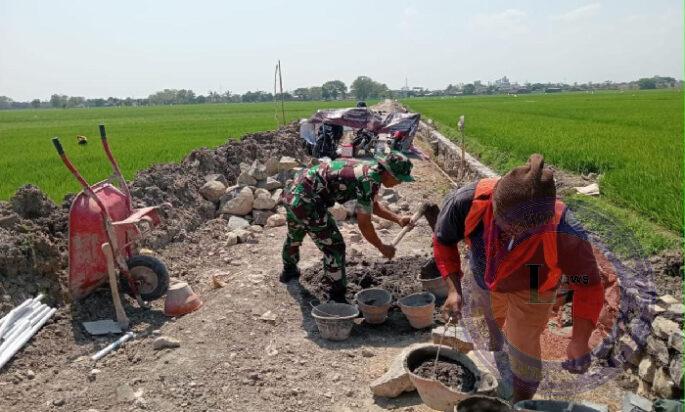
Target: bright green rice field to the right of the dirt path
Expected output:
[634,140]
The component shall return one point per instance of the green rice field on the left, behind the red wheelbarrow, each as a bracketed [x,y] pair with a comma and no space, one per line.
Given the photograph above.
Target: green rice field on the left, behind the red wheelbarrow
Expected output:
[139,137]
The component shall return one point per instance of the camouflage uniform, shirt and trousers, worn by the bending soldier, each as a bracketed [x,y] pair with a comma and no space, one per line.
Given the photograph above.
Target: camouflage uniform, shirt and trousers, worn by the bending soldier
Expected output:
[307,201]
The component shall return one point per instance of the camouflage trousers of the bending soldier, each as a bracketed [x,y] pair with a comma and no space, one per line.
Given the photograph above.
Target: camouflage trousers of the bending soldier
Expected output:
[326,236]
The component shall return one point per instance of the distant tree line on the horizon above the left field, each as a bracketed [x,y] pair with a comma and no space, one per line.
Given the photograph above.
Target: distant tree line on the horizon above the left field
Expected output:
[362,88]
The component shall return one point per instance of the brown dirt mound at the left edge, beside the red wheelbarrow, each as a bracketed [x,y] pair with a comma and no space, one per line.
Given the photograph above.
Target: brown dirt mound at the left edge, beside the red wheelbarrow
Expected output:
[32,248]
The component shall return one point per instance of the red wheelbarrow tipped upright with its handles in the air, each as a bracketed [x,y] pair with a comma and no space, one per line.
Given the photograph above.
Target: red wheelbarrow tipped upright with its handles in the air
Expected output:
[104,231]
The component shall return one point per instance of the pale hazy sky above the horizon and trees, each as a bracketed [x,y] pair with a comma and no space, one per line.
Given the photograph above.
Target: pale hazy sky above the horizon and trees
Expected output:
[132,48]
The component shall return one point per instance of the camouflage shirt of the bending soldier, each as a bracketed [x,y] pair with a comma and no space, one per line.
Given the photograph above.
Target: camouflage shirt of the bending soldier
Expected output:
[339,181]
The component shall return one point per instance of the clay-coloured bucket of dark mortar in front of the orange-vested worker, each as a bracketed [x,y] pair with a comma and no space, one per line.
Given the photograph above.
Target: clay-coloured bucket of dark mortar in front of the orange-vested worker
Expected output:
[434,393]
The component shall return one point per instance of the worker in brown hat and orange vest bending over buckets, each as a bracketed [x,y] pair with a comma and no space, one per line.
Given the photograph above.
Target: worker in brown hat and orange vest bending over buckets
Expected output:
[521,241]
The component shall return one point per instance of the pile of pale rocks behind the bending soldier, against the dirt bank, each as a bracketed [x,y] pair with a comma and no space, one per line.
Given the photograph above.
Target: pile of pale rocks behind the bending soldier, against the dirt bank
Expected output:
[255,196]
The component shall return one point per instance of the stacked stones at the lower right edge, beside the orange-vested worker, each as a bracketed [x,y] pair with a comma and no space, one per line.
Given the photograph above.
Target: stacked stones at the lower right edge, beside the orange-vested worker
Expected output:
[649,345]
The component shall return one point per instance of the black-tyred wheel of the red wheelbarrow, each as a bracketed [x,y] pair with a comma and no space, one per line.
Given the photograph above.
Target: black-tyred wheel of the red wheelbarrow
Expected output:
[151,276]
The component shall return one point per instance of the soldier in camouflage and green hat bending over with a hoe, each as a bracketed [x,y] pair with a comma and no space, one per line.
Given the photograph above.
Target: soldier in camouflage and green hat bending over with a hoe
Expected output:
[315,190]
